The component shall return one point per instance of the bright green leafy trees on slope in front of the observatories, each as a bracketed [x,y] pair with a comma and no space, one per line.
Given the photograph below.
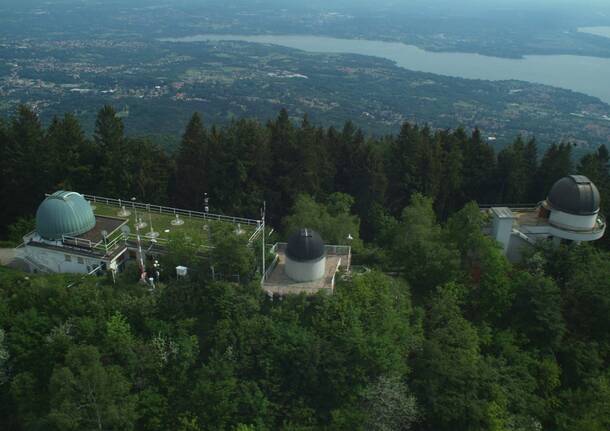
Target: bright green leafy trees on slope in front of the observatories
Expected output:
[459,341]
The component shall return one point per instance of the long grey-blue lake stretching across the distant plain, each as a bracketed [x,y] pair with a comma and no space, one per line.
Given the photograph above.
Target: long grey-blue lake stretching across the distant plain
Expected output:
[589,75]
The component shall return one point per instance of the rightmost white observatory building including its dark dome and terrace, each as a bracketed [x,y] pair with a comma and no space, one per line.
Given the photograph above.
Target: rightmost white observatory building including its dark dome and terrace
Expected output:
[569,214]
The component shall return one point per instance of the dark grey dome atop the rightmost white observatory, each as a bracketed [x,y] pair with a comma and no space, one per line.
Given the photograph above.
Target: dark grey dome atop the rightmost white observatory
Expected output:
[574,194]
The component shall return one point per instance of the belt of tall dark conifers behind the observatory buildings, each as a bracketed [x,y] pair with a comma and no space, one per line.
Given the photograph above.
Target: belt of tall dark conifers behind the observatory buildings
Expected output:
[245,163]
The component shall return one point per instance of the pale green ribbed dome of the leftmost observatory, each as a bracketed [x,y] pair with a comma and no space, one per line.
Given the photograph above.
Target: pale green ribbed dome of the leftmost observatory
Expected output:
[64,213]
